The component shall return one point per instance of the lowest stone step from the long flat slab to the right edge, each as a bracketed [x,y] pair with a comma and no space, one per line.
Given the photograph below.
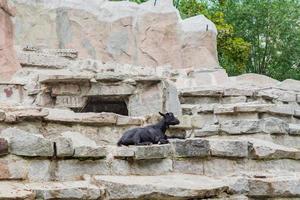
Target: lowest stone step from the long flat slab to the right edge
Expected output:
[186,186]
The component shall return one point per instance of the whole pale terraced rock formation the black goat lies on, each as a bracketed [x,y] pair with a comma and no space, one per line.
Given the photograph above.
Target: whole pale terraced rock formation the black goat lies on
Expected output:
[63,113]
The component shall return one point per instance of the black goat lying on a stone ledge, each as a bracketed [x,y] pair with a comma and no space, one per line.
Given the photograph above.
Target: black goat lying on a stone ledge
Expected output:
[152,134]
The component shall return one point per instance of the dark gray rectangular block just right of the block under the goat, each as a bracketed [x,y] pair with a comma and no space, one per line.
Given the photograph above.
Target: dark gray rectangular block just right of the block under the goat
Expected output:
[190,148]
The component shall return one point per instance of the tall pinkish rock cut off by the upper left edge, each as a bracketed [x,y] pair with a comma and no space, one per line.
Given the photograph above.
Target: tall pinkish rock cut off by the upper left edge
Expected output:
[8,62]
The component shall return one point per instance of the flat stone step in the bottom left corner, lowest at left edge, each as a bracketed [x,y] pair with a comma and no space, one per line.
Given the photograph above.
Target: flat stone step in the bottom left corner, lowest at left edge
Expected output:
[51,190]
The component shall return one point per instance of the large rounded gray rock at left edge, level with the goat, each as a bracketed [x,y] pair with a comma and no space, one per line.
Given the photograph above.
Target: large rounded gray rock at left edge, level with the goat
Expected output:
[27,144]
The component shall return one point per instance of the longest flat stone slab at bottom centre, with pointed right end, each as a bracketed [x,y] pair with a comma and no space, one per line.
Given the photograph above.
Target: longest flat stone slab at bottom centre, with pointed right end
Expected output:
[175,186]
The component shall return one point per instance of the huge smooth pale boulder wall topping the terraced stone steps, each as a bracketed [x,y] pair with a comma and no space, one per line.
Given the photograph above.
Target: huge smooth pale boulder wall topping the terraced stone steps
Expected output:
[124,32]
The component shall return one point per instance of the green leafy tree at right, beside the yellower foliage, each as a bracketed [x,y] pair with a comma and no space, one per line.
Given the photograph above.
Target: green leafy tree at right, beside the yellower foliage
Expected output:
[273,29]
